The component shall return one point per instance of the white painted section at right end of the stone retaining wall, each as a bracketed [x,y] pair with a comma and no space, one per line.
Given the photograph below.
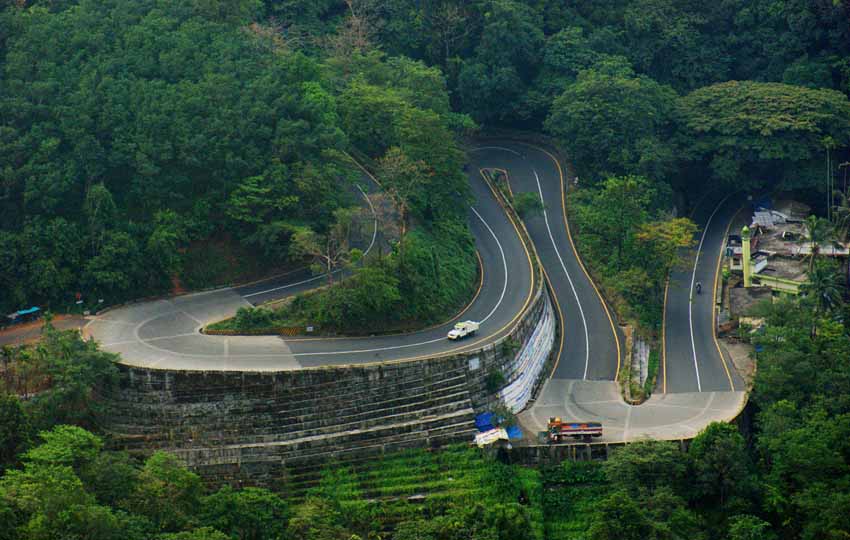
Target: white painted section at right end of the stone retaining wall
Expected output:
[530,361]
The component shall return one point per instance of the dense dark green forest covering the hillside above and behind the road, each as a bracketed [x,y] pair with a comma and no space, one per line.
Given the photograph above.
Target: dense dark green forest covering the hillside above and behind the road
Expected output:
[148,144]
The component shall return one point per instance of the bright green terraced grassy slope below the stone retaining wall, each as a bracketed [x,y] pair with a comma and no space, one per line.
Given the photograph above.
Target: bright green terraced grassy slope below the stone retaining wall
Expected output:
[463,495]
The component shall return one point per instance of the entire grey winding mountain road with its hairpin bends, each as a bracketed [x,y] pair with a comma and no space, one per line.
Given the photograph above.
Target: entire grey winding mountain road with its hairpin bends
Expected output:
[165,333]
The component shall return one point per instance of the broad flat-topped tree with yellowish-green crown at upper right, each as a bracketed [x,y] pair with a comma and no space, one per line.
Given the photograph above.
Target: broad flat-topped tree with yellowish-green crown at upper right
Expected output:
[762,134]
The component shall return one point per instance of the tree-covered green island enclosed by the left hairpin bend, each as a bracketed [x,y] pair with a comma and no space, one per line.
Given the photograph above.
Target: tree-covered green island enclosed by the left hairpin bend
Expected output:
[429,274]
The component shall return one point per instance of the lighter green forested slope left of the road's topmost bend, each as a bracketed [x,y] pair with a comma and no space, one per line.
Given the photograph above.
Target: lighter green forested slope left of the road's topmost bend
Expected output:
[148,141]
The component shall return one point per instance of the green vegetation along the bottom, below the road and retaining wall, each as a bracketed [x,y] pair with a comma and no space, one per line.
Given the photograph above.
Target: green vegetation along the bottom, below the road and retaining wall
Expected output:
[787,478]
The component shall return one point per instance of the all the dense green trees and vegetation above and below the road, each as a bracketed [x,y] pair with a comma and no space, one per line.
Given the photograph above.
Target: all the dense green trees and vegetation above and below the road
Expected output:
[148,142]
